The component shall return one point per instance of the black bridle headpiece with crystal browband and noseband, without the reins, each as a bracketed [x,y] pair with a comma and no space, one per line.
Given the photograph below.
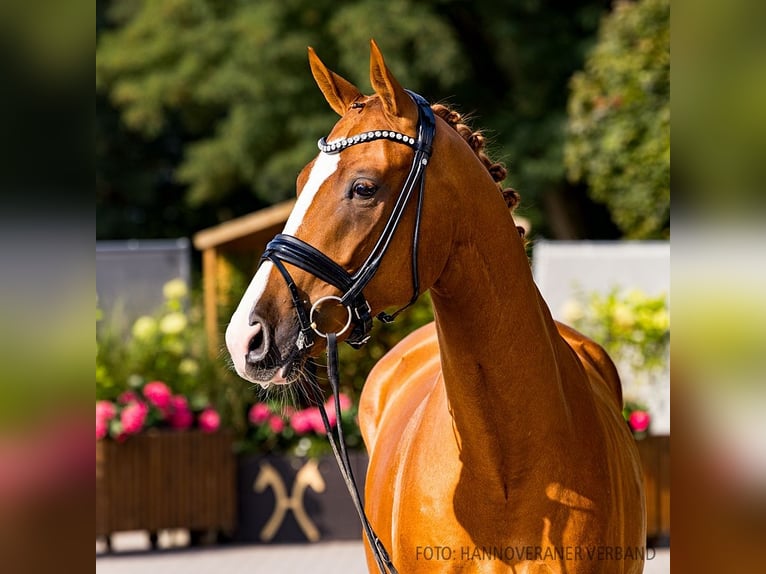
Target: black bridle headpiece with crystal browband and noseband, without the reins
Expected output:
[289,249]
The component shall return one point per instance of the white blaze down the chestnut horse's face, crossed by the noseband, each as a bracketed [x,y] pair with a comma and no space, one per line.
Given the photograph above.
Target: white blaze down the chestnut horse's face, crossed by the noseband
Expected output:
[240,332]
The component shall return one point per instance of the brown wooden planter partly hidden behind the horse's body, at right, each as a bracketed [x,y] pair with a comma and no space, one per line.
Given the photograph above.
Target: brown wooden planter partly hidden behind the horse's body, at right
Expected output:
[655,459]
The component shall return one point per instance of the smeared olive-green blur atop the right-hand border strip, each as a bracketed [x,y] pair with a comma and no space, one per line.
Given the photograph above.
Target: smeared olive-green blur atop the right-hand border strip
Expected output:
[719,121]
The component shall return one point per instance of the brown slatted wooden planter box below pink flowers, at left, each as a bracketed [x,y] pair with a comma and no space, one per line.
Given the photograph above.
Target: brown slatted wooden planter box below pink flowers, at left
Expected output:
[166,479]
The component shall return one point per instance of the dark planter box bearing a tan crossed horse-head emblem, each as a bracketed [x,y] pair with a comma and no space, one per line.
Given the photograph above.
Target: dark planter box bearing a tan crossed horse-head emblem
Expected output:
[295,499]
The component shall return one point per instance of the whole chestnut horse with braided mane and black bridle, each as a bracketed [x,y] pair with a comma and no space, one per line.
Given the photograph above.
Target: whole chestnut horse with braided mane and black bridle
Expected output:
[495,435]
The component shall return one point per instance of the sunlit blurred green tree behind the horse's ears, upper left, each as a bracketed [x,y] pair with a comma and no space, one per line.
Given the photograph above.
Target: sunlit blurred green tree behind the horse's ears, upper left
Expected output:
[235,76]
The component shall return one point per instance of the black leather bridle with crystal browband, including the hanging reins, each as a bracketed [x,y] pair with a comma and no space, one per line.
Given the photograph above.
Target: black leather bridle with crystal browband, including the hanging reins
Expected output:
[289,249]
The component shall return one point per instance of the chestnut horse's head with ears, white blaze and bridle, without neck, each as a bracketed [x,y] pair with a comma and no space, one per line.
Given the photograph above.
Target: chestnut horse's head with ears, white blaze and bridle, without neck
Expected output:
[347,197]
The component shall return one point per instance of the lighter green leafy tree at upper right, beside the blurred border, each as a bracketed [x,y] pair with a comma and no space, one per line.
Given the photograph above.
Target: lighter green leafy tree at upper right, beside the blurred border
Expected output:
[619,119]
